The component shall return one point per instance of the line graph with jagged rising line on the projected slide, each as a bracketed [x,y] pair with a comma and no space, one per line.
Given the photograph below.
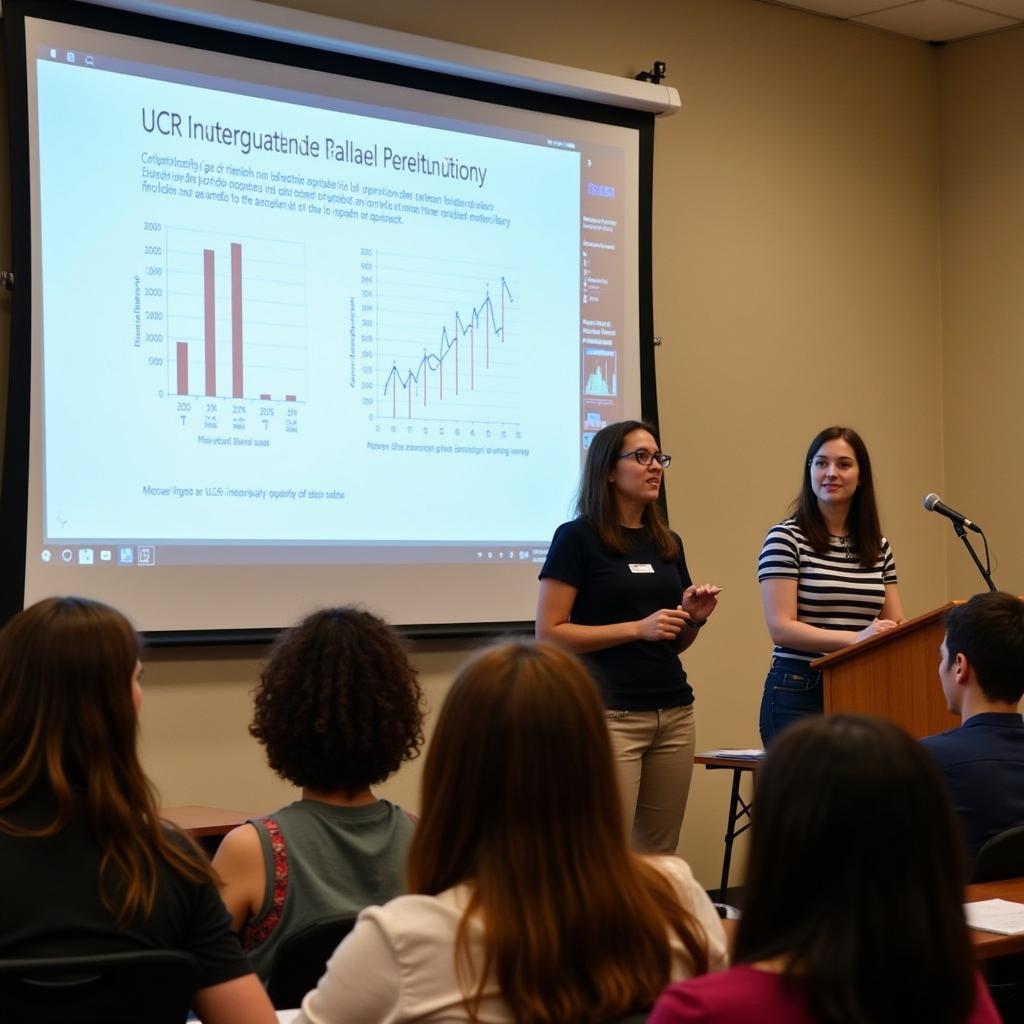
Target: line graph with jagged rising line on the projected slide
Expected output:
[447,343]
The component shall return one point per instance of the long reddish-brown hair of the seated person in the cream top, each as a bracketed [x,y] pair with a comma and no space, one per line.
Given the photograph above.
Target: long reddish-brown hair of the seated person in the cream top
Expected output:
[521,803]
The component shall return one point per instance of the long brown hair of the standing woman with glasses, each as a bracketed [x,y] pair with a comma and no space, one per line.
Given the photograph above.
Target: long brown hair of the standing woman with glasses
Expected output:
[596,499]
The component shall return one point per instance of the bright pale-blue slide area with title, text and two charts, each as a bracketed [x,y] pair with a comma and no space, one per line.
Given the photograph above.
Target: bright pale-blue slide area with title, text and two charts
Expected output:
[302,324]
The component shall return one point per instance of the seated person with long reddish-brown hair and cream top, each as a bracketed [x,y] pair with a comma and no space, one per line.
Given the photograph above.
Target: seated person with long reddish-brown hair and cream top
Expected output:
[527,904]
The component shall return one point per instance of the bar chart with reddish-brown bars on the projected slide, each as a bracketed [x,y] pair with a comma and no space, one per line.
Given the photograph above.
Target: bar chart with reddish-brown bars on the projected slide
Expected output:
[237,324]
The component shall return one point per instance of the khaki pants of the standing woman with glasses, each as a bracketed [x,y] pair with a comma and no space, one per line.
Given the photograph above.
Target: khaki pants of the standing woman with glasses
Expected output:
[654,752]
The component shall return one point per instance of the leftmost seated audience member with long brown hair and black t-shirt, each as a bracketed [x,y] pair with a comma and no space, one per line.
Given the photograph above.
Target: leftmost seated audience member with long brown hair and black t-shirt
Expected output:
[88,867]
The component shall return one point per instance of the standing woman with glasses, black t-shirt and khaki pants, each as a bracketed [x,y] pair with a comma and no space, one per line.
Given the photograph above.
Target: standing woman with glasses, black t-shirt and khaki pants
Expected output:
[616,590]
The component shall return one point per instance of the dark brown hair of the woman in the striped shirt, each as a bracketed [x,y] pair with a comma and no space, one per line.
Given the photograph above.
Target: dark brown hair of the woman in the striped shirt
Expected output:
[863,524]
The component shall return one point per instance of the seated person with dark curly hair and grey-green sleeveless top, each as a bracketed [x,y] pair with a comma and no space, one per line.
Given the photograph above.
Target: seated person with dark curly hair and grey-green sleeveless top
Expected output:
[338,710]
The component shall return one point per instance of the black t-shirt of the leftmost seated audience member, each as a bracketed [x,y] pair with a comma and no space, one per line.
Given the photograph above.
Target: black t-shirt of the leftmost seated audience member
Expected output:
[51,903]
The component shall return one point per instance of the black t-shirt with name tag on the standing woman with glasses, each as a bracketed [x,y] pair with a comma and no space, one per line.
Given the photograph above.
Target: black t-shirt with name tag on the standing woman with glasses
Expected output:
[643,675]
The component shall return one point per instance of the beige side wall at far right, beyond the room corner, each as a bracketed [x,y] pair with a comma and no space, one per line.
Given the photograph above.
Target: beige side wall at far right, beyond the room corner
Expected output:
[983,161]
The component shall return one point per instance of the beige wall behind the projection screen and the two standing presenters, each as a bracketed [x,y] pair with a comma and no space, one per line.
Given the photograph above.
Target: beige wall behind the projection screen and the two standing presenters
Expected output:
[797,280]
